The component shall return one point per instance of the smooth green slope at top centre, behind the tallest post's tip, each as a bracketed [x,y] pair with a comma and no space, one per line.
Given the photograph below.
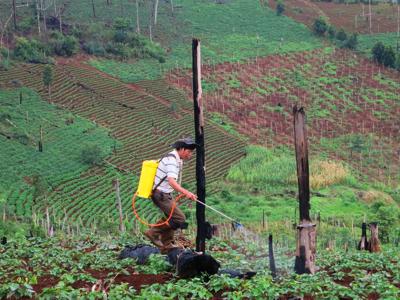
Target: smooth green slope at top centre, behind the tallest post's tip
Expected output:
[230,32]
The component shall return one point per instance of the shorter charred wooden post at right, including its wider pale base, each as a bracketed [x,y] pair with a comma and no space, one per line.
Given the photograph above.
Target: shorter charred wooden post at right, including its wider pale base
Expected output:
[306,233]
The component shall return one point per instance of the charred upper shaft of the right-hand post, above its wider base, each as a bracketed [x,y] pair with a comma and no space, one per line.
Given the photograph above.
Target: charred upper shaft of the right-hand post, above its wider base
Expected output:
[300,139]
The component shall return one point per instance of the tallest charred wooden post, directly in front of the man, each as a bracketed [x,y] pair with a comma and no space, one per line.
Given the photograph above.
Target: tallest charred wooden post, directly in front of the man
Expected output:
[199,134]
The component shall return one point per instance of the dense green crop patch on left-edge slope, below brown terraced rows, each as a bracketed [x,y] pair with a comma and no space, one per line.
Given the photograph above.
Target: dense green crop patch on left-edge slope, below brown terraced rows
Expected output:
[63,143]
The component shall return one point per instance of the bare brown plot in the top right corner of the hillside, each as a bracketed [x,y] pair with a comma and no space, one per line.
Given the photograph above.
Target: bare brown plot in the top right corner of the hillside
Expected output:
[351,17]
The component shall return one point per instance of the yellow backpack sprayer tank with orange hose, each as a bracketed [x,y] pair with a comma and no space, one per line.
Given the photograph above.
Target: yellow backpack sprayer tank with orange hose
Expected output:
[145,188]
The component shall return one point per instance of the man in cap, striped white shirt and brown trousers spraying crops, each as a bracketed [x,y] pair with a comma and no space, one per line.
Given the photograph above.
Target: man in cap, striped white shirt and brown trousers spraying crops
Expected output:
[168,173]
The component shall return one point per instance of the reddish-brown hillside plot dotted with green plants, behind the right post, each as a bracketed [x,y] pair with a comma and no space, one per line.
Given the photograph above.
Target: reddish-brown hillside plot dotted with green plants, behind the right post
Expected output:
[344,95]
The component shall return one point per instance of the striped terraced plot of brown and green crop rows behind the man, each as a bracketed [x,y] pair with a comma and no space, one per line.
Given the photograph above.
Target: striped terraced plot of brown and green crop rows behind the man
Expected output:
[143,125]
